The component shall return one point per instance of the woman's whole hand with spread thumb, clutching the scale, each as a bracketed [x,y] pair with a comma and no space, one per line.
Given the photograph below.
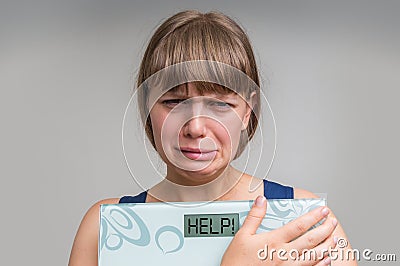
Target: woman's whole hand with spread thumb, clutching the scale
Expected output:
[247,246]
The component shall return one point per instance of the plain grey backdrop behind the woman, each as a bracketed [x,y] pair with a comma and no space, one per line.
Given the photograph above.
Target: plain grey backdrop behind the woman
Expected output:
[332,74]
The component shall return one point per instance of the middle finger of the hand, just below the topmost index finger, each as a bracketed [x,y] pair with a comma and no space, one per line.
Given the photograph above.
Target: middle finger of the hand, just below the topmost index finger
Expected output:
[314,237]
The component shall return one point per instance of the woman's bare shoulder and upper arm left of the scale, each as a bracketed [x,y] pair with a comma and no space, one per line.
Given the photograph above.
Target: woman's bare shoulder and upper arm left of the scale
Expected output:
[84,249]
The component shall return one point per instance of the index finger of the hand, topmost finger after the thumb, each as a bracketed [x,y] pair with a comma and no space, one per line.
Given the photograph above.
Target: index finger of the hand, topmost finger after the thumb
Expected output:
[301,224]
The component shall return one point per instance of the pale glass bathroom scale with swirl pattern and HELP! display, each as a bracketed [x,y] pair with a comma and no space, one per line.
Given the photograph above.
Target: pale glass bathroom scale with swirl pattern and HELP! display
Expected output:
[186,234]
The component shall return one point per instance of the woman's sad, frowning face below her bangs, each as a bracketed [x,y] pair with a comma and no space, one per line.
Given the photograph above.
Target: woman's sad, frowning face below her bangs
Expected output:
[196,135]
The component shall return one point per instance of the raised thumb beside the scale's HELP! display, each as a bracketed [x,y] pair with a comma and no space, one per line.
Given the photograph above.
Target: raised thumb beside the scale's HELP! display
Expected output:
[255,216]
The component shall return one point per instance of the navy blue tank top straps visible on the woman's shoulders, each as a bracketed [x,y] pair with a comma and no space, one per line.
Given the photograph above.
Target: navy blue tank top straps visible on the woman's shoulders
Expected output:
[272,190]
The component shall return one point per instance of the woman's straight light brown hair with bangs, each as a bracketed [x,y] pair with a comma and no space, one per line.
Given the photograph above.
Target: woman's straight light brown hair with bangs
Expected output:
[192,35]
